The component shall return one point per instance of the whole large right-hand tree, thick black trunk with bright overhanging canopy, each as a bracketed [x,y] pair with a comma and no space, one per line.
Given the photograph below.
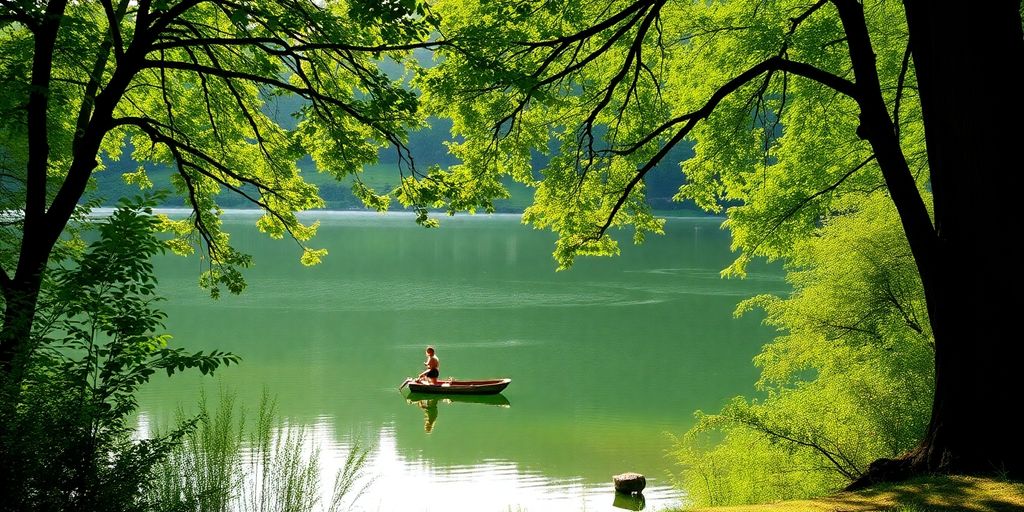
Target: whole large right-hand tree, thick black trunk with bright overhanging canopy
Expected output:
[797,110]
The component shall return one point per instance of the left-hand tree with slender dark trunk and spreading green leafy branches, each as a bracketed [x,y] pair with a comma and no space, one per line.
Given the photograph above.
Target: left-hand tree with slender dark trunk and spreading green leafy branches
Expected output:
[193,84]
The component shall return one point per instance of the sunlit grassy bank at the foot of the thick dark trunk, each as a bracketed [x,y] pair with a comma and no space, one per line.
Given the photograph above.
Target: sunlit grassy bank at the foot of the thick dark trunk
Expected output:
[933,494]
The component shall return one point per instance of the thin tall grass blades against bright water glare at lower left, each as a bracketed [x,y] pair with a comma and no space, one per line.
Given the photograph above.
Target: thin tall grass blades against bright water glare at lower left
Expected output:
[223,466]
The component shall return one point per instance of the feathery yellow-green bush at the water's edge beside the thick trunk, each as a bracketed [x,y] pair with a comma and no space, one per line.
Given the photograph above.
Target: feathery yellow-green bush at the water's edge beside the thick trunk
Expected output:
[850,380]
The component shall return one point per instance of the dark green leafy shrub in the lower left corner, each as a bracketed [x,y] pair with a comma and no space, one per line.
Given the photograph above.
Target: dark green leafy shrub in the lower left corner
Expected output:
[69,443]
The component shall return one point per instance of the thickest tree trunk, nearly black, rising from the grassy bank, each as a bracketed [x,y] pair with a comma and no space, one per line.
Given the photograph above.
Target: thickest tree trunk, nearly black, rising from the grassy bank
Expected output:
[966,59]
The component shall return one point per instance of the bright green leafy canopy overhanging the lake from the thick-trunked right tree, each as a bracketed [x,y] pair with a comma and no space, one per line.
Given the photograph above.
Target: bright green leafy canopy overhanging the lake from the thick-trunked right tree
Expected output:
[616,97]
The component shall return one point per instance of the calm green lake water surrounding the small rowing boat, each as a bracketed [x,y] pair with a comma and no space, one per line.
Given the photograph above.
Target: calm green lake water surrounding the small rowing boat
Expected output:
[607,360]
